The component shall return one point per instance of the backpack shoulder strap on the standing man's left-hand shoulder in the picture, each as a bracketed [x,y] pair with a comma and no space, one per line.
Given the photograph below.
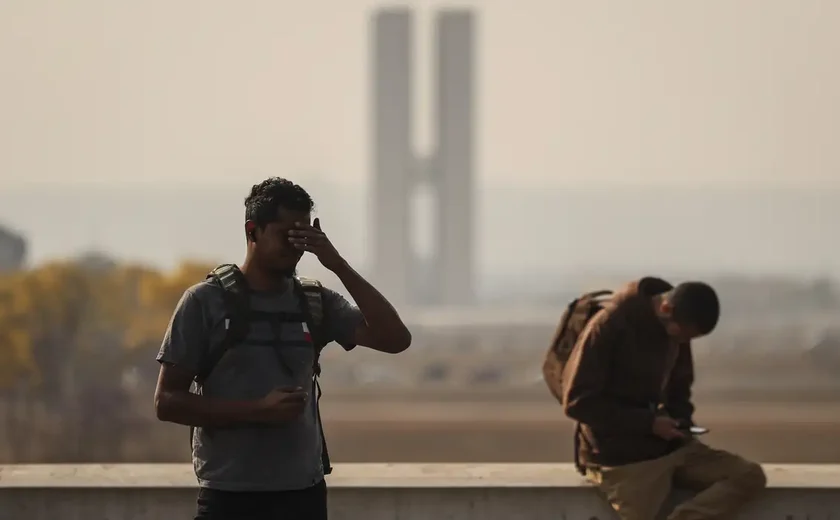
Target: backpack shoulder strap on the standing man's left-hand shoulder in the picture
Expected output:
[236,299]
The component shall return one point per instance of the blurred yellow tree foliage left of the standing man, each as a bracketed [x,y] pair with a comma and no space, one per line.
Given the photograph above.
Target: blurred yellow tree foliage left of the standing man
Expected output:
[63,315]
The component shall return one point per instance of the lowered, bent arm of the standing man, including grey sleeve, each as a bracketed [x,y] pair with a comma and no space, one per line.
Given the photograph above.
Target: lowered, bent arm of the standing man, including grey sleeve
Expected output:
[183,349]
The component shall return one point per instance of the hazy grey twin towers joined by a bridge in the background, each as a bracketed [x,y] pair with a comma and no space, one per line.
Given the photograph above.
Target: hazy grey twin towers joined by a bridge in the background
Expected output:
[446,277]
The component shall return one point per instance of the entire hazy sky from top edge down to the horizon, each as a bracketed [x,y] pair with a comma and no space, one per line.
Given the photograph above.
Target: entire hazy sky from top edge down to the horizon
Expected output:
[137,129]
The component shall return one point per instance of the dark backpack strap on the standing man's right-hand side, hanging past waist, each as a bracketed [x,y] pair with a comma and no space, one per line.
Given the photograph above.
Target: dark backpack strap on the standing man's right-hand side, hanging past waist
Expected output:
[310,295]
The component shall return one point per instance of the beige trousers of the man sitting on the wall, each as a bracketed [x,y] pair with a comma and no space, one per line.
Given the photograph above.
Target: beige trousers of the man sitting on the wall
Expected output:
[724,483]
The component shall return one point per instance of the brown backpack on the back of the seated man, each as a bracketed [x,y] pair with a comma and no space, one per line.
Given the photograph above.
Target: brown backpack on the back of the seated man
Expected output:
[572,323]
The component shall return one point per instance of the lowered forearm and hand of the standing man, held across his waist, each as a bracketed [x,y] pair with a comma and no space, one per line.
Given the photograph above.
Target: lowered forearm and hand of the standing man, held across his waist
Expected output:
[197,410]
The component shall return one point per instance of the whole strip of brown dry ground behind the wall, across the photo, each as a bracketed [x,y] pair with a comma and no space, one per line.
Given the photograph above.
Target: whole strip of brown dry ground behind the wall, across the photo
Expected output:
[484,426]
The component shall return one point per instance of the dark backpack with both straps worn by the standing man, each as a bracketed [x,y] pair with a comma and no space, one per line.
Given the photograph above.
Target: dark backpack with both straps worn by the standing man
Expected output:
[238,316]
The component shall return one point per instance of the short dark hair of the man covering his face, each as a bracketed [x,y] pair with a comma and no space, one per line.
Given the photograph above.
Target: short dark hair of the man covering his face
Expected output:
[267,197]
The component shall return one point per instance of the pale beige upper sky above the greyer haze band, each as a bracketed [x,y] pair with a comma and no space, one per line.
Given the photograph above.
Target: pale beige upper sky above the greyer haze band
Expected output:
[642,91]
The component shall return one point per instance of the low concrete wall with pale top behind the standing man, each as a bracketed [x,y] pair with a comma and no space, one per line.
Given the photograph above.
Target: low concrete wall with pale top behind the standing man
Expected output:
[380,491]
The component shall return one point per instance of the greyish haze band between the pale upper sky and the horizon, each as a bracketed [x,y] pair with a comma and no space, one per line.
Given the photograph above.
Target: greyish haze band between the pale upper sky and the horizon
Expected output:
[522,233]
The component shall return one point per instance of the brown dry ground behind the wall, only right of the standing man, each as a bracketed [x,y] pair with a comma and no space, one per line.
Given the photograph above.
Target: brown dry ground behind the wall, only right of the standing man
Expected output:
[535,432]
